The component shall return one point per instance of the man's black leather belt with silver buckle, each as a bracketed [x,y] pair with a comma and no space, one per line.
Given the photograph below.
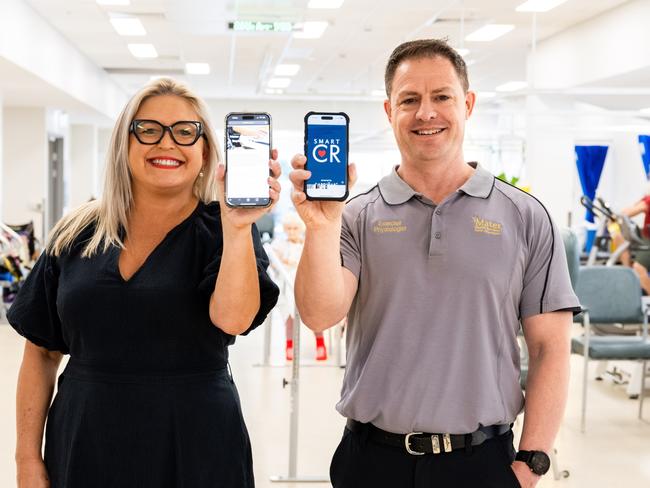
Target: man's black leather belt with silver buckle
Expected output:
[419,443]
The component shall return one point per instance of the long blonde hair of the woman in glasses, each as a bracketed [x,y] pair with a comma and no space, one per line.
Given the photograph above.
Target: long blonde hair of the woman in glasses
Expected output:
[110,213]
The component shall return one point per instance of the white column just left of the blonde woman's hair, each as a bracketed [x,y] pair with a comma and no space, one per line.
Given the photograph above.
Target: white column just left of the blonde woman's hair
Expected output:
[83,164]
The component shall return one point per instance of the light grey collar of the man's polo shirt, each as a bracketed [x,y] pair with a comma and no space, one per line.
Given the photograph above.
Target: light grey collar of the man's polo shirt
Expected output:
[395,191]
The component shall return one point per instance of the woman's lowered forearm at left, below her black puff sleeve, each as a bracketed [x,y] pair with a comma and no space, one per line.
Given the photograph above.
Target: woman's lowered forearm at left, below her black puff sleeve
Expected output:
[33,396]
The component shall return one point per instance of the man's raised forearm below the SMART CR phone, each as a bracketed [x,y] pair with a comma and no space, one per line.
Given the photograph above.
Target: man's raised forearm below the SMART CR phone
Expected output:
[319,287]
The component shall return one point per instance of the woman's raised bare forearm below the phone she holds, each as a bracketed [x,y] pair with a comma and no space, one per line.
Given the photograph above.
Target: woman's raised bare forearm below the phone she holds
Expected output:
[236,297]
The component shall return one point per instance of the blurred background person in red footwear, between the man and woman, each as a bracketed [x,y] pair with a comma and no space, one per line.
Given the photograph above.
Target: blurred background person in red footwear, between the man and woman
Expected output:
[289,251]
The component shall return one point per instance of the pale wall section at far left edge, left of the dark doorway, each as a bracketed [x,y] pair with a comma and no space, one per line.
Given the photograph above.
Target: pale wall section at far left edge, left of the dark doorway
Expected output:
[25,151]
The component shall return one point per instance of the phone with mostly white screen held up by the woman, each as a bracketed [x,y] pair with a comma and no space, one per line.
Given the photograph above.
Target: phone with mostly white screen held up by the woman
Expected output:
[248,143]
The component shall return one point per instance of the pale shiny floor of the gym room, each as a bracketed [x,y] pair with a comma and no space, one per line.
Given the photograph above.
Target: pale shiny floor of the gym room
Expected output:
[615,451]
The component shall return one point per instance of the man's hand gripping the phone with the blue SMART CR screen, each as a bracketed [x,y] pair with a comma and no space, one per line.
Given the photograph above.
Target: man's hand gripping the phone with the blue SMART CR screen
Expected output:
[315,213]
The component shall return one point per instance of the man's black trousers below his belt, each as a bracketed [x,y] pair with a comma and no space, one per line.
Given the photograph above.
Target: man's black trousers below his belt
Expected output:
[360,462]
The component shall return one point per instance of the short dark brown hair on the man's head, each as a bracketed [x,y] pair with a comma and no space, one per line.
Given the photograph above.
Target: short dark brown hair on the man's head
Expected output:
[425,48]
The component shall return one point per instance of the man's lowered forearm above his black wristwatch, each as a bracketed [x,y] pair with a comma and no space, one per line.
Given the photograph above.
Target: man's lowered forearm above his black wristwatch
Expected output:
[546,394]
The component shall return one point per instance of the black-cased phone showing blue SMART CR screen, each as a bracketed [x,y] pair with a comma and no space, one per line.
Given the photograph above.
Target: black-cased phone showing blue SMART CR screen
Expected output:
[326,149]
